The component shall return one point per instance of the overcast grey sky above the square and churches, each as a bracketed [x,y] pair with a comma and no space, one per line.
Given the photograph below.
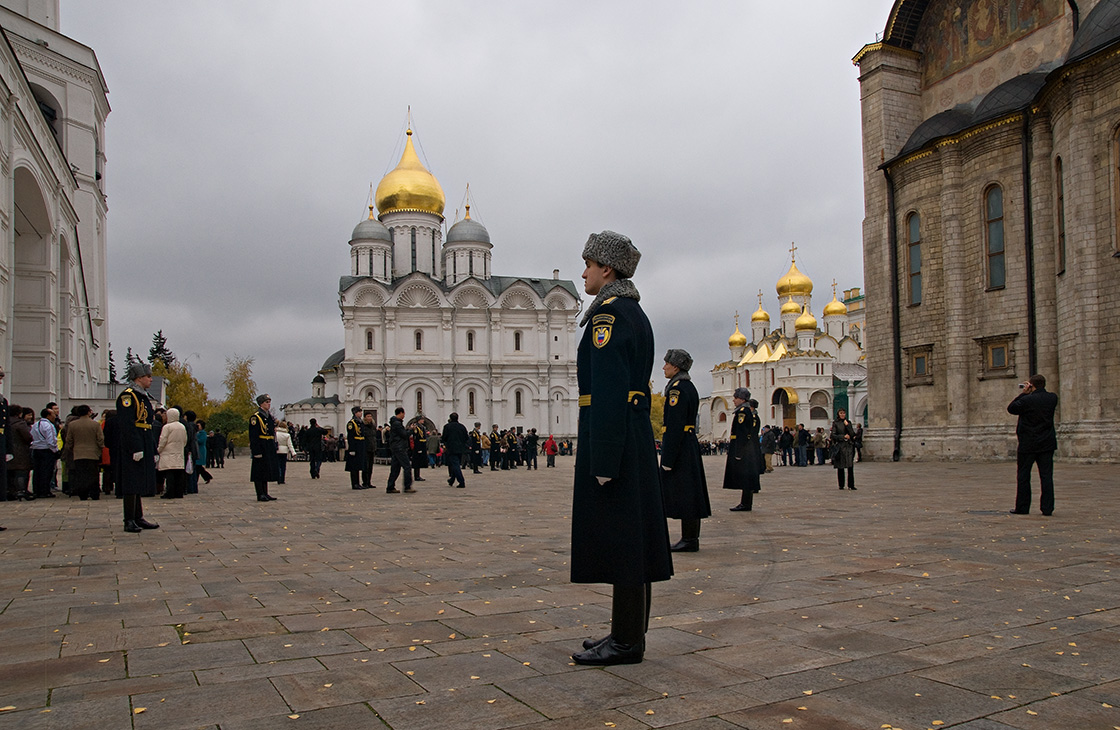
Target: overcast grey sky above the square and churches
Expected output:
[245,137]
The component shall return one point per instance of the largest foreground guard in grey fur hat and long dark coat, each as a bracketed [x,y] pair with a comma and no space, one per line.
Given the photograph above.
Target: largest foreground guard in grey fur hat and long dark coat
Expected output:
[619,532]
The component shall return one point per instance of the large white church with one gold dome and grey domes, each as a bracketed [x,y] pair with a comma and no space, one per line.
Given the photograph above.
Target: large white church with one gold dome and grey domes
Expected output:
[430,327]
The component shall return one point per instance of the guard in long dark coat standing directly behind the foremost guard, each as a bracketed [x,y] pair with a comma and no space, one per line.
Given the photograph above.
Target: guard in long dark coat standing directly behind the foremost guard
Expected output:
[684,484]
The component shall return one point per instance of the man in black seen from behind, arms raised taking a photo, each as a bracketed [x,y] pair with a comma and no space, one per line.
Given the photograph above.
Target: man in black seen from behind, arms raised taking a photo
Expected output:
[1035,407]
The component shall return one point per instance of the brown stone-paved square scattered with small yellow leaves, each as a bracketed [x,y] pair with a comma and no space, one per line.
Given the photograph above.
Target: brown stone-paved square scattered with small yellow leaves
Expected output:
[914,601]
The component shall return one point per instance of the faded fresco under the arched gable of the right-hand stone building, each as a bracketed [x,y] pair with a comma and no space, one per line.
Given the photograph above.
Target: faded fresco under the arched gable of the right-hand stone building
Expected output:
[955,34]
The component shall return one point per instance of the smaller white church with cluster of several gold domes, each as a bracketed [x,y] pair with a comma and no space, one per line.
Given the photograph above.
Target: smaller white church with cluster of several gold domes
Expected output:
[801,371]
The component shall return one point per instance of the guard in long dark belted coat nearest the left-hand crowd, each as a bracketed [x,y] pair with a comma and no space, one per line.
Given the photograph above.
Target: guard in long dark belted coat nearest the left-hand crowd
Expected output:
[136,448]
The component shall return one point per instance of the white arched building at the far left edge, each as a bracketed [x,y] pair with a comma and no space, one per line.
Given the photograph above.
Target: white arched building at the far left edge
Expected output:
[53,210]
